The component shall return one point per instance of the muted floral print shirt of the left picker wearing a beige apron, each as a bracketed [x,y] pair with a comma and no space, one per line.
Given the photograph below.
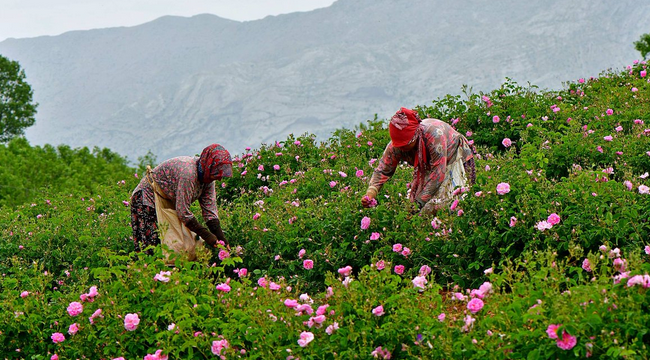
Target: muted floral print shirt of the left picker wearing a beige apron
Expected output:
[178,179]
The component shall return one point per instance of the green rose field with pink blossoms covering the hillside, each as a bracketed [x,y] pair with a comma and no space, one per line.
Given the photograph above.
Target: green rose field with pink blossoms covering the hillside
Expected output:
[546,256]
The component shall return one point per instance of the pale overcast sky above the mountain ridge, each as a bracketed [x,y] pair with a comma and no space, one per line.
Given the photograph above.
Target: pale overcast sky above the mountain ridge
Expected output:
[30,18]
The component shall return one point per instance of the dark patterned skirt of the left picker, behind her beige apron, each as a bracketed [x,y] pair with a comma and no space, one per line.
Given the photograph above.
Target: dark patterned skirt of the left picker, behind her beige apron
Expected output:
[143,222]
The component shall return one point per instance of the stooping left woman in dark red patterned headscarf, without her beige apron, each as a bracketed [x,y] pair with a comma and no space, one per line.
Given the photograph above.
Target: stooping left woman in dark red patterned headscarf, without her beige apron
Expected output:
[183,180]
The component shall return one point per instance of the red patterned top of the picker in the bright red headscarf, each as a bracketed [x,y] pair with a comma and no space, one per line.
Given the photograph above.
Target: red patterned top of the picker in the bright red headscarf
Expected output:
[438,145]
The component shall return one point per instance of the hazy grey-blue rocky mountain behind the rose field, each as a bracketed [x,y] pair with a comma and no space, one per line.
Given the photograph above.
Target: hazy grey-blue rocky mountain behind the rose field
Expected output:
[175,85]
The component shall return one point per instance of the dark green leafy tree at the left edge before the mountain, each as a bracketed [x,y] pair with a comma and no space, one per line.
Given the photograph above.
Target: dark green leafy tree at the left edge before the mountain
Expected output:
[16,107]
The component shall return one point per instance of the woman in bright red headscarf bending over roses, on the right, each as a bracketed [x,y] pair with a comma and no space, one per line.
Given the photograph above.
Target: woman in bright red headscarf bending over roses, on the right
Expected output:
[442,158]
